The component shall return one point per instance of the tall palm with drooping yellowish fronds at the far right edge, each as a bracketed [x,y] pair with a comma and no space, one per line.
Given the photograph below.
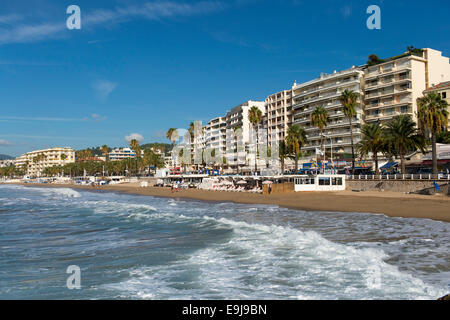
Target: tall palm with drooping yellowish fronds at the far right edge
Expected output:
[433,115]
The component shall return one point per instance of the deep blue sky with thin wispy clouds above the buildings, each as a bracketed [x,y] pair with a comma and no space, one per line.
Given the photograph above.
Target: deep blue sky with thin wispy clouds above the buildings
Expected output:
[144,66]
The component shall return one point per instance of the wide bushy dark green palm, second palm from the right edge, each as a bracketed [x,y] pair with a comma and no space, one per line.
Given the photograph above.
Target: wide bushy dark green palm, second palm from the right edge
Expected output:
[402,136]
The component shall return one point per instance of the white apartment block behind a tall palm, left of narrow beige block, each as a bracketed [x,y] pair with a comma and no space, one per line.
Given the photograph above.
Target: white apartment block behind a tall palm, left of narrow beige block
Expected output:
[237,118]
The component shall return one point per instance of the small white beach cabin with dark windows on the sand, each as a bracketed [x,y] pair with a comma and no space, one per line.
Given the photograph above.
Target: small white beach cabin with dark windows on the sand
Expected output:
[322,182]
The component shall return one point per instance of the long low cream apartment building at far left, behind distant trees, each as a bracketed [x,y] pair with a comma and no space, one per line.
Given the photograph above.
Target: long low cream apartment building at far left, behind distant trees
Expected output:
[36,161]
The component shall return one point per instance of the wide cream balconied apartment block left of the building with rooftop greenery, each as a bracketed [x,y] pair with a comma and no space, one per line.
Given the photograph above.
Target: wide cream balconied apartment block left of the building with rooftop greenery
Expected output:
[325,91]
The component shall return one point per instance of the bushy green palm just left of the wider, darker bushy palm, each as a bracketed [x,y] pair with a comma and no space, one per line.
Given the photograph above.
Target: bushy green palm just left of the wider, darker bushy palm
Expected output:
[372,142]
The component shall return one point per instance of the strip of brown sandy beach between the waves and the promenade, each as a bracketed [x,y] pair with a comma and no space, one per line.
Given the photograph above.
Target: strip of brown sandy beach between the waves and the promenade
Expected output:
[391,204]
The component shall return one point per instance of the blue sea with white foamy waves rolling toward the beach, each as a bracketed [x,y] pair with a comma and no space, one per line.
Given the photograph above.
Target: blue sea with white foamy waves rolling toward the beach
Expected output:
[135,247]
